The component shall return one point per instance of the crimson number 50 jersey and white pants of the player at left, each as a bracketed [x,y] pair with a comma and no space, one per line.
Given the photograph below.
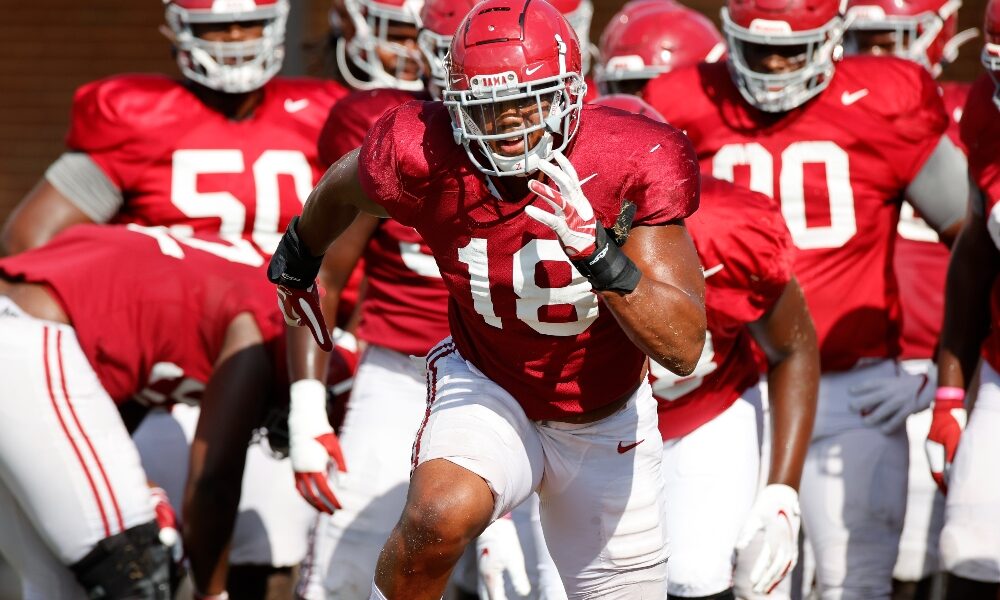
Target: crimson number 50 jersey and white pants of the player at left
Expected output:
[177,163]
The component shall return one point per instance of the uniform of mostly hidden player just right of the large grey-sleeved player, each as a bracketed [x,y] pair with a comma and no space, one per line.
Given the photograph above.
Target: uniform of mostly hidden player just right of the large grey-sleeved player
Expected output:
[921,264]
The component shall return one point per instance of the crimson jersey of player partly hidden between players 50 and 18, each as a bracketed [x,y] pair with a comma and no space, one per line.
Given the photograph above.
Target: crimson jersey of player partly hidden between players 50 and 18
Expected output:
[406,303]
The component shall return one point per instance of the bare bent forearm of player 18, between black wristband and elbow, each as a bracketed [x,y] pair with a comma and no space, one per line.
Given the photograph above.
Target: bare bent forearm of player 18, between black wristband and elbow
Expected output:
[663,321]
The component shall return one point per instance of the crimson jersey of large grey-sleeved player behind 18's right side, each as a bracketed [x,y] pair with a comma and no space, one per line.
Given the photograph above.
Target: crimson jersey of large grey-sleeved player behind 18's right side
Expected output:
[838,167]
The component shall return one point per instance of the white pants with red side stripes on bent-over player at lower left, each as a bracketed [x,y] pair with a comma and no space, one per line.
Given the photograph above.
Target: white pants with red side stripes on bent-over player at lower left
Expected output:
[65,455]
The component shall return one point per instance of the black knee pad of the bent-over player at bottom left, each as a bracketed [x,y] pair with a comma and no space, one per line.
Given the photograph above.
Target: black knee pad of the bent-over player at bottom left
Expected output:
[131,565]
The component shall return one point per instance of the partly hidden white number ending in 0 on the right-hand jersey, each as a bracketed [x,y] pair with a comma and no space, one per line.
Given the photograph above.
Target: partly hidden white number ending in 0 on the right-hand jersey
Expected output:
[843,223]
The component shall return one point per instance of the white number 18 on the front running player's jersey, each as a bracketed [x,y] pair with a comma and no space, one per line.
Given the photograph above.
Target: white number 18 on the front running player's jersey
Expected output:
[530,296]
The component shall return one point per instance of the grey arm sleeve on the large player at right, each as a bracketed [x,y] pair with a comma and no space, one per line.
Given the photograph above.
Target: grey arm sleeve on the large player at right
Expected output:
[940,189]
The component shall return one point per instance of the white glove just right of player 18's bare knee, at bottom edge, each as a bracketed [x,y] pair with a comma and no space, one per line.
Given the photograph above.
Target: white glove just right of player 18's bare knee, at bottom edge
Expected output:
[498,551]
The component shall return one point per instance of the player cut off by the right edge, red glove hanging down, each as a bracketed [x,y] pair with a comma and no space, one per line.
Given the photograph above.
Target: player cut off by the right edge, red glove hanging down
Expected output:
[970,546]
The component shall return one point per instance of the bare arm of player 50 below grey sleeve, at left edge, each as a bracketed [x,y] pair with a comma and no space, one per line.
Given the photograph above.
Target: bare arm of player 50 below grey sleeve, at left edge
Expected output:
[41,215]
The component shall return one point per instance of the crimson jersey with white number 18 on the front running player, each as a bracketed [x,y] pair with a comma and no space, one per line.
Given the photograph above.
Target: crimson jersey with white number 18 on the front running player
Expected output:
[518,309]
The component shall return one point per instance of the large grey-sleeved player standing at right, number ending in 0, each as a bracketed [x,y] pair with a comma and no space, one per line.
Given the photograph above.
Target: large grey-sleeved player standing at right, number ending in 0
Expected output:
[837,144]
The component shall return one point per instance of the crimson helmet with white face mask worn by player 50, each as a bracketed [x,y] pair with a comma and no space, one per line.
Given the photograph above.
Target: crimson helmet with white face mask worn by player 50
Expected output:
[231,67]
